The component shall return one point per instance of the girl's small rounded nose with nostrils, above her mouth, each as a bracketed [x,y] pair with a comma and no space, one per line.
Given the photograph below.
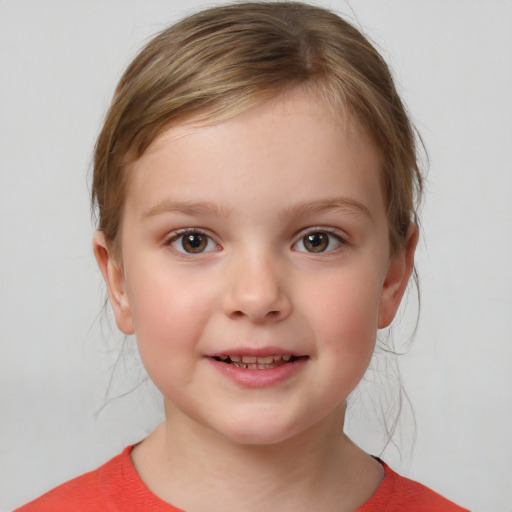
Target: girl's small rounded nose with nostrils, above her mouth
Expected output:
[256,291]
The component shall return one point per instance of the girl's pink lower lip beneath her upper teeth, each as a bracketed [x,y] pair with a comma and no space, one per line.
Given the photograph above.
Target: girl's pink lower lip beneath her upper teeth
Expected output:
[259,378]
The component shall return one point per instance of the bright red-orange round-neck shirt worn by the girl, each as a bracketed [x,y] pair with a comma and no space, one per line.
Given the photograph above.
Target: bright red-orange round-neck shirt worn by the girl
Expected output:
[116,487]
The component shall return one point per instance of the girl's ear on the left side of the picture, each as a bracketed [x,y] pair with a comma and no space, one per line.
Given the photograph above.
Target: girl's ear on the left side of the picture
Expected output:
[113,274]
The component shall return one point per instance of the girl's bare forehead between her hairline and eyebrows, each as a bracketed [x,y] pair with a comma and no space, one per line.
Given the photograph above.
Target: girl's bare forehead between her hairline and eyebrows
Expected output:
[290,149]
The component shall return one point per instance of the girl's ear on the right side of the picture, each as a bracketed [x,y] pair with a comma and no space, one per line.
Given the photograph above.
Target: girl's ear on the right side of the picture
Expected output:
[399,270]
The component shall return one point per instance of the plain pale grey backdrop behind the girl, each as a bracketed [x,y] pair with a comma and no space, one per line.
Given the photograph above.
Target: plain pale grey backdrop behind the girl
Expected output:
[61,411]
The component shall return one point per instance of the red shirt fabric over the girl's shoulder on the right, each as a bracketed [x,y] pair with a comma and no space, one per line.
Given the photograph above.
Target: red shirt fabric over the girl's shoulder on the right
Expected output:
[397,493]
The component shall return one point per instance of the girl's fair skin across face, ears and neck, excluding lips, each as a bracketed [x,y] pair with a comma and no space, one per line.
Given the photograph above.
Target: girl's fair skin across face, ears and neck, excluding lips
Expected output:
[255,186]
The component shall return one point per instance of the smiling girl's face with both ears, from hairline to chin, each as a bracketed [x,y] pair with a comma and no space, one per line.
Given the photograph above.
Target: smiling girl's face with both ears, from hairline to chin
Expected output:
[264,236]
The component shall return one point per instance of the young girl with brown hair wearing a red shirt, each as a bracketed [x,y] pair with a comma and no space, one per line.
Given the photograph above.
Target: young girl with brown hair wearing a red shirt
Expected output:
[256,182]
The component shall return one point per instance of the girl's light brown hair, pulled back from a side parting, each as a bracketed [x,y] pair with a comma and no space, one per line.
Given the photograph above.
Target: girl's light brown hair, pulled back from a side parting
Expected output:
[221,61]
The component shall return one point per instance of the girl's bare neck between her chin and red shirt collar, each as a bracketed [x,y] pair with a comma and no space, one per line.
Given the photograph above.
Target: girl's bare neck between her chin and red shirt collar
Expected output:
[195,468]
